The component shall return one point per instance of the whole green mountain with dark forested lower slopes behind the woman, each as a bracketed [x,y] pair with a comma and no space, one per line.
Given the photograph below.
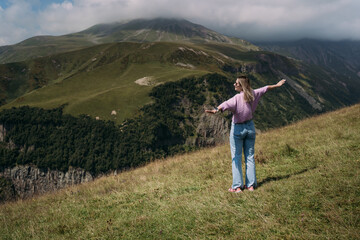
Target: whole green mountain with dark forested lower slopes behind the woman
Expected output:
[131,97]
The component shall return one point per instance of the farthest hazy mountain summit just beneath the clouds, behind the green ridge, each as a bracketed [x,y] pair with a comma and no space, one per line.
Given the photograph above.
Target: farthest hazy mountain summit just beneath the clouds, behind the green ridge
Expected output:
[139,30]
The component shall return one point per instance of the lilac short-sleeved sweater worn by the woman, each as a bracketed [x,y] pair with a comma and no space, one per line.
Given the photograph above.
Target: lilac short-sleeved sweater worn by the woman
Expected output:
[243,111]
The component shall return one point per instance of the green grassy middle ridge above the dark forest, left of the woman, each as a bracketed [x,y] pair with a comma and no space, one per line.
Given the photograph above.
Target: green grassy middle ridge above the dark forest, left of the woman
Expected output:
[98,80]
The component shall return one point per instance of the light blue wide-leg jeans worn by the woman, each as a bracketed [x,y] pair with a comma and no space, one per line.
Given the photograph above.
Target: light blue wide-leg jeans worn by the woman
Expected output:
[242,136]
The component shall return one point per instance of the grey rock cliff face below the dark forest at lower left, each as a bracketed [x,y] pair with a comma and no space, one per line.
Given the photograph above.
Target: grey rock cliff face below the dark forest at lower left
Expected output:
[27,181]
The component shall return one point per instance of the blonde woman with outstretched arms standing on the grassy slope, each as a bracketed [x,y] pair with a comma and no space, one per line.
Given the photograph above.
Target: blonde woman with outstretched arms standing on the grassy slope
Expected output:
[242,134]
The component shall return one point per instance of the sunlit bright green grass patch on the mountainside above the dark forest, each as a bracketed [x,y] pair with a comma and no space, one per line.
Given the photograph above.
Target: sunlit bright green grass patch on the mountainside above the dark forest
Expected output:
[105,89]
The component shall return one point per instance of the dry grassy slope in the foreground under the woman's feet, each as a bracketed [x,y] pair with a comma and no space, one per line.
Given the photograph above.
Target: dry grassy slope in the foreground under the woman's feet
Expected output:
[308,175]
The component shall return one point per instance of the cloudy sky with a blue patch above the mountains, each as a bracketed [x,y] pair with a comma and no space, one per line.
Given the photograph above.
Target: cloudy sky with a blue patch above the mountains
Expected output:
[253,20]
